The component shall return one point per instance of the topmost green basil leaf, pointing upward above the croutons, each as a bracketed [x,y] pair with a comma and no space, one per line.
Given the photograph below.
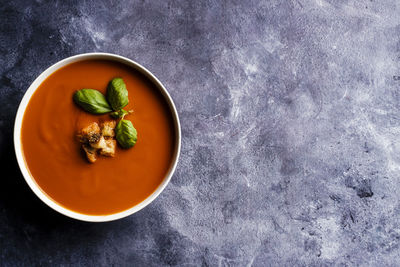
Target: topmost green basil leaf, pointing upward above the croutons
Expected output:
[117,94]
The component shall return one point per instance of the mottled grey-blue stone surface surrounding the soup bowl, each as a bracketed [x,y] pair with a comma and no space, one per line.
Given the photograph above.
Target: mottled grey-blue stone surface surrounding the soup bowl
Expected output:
[290,115]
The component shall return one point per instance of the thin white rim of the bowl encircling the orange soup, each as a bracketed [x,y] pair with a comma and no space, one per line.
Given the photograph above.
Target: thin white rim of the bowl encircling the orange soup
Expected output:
[18,146]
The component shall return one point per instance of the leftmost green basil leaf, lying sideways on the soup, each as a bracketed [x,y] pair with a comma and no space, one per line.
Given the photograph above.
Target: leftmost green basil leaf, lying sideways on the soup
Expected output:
[92,101]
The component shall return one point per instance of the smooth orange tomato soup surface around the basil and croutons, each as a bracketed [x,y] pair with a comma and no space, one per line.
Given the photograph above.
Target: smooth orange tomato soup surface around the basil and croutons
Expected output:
[54,156]
